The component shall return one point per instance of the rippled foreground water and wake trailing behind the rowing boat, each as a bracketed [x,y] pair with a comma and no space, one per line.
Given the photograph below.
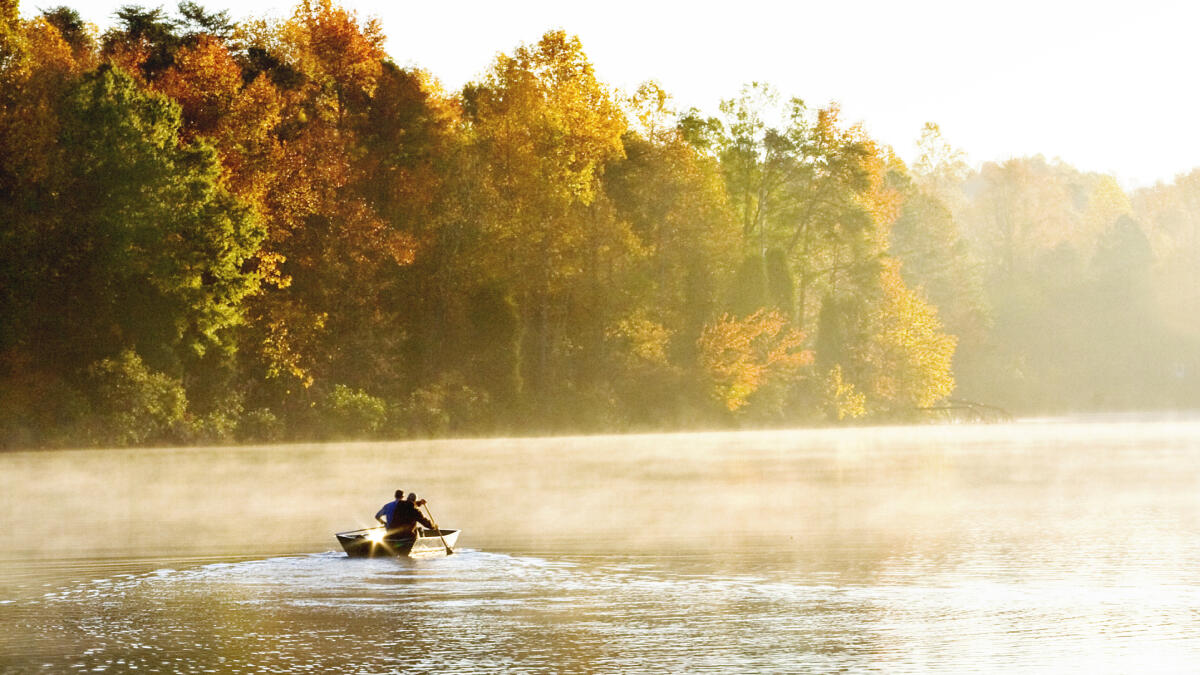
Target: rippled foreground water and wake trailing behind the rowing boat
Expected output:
[482,611]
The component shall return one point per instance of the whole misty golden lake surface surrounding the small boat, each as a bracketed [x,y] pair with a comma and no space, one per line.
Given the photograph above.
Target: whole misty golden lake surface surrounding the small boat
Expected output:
[1042,546]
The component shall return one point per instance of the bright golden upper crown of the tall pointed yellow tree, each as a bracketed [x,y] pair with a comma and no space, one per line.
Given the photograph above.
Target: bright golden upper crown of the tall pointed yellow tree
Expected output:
[548,127]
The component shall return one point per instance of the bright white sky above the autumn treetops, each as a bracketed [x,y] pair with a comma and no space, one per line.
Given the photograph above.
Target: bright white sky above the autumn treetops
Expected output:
[1103,86]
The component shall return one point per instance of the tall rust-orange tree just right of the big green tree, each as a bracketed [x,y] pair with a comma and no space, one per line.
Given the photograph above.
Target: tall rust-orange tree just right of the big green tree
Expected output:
[326,318]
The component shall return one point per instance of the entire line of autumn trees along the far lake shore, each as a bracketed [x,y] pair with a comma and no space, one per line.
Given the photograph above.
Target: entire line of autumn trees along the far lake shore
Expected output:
[266,231]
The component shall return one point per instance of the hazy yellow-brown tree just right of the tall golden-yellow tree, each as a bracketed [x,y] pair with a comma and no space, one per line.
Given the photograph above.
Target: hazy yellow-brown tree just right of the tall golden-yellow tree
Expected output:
[674,199]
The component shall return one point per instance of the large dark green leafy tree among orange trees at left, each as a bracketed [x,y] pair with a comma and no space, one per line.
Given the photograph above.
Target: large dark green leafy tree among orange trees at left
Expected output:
[166,244]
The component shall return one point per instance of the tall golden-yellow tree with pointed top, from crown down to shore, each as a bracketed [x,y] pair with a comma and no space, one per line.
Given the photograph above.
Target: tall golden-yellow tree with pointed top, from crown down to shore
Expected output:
[545,128]
